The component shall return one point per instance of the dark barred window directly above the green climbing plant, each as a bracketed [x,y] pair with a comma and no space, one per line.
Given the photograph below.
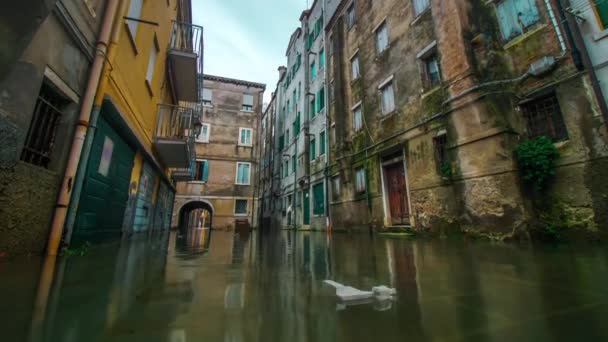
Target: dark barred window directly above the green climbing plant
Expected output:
[544,118]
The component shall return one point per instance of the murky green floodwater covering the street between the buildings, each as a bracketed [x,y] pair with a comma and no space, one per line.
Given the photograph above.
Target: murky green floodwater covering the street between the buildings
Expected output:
[223,287]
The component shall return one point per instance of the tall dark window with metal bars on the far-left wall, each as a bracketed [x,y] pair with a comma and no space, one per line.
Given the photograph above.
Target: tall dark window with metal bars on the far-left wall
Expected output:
[43,128]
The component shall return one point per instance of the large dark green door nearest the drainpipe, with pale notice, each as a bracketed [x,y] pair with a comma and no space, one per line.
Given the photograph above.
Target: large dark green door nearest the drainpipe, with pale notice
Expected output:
[106,187]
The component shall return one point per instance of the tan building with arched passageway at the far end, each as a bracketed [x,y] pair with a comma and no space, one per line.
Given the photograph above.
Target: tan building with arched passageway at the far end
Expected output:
[226,150]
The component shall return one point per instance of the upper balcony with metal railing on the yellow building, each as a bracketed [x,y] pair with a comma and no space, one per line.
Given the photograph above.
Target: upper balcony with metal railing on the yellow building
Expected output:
[185,61]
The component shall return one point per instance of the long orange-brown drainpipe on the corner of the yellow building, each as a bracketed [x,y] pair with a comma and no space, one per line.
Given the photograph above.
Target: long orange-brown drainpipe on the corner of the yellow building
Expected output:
[63,198]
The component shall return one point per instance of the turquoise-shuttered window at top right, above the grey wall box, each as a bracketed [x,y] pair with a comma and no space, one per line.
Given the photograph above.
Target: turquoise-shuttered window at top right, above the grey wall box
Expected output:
[515,17]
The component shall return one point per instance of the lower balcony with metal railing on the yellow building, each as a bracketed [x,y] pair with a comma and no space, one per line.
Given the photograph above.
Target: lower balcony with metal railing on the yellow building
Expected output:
[175,131]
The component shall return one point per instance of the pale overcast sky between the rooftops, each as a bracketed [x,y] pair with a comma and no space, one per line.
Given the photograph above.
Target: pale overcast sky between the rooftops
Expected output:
[247,39]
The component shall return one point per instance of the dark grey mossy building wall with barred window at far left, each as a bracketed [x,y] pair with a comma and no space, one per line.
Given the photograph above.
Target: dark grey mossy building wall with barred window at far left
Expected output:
[48,50]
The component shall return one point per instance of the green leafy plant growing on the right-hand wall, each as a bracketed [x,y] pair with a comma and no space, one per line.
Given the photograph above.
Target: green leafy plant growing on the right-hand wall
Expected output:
[536,161]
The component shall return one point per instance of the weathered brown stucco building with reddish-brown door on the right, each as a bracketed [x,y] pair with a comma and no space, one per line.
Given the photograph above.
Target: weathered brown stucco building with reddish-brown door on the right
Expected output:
[429,101]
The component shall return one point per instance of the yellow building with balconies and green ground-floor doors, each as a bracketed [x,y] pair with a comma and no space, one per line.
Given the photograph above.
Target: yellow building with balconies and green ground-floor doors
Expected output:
[140,138]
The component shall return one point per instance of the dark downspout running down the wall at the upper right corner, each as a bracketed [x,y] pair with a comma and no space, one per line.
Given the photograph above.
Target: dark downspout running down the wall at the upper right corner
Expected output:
[578,41]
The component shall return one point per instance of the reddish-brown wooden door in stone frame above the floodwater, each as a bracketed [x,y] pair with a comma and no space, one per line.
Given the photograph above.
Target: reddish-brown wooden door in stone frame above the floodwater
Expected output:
[397,194]
